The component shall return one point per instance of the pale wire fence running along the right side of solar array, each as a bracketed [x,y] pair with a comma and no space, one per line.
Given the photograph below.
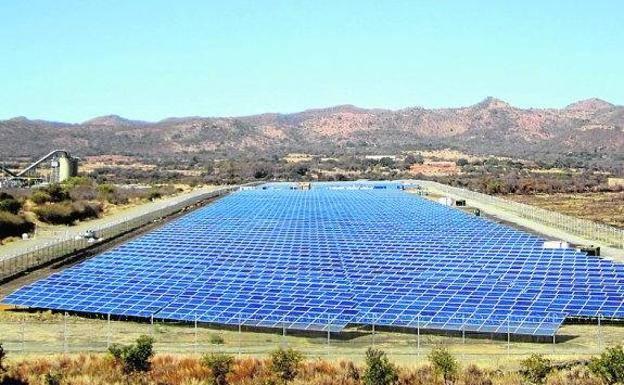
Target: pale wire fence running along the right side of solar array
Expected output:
[608,235]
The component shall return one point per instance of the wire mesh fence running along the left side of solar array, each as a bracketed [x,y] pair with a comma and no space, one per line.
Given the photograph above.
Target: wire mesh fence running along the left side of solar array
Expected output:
[67,244]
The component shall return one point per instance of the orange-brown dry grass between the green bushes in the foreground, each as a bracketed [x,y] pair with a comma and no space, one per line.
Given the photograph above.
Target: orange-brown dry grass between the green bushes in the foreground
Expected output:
[101,369]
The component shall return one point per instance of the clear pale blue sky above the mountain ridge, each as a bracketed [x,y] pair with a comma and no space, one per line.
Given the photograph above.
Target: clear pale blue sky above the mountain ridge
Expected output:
[73,60]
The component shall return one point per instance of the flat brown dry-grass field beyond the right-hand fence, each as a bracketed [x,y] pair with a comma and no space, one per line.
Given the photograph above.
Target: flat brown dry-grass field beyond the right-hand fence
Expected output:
[605,207]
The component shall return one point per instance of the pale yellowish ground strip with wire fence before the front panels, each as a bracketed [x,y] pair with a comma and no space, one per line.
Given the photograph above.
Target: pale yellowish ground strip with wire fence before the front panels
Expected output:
[69,334]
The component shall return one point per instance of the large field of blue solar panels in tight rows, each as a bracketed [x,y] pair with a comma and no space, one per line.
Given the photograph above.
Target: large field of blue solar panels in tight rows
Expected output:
[335,255]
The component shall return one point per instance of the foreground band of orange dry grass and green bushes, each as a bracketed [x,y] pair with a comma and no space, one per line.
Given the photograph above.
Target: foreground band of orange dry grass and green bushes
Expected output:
[137,363]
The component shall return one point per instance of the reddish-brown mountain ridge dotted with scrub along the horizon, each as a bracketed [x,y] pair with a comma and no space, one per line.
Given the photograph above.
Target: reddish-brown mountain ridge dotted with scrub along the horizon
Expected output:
[491,126]
